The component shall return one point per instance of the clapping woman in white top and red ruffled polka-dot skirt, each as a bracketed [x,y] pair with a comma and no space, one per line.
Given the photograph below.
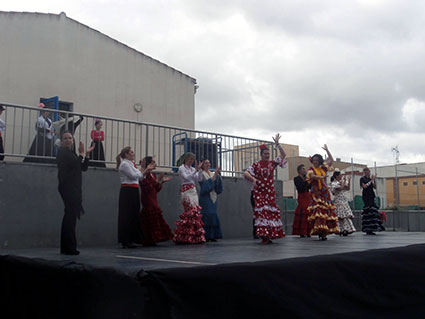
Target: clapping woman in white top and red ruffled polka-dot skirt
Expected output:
[190,226]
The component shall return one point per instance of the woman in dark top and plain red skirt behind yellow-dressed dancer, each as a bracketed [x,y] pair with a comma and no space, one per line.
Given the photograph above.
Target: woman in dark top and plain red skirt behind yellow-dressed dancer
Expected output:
[301,226]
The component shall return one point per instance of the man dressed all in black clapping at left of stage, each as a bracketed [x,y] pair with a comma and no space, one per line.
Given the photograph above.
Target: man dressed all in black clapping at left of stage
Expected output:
[70,167]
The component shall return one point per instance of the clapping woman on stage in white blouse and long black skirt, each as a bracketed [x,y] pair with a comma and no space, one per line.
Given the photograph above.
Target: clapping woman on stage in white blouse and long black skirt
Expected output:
[129,228]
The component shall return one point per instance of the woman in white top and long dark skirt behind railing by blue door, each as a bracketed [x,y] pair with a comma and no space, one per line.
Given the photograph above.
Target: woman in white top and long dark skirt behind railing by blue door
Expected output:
[43,142]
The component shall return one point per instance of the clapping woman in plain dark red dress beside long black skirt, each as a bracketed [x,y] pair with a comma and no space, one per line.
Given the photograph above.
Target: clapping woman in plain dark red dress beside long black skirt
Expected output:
[154,227]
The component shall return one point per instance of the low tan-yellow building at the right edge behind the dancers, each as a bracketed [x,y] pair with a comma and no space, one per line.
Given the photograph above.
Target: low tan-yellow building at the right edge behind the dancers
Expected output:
[411,191]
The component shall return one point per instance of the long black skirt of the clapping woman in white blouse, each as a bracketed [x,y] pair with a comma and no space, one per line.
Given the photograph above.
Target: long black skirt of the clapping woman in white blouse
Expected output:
[129,227]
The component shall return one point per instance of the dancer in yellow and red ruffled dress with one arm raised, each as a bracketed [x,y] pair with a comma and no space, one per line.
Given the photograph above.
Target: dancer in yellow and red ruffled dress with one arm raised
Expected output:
[321,210]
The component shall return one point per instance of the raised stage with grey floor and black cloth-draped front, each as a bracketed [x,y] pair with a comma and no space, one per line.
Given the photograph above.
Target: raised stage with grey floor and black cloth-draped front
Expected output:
[380,276]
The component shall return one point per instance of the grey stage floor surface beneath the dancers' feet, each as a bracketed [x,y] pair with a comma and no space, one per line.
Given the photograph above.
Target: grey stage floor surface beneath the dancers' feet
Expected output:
[169,255]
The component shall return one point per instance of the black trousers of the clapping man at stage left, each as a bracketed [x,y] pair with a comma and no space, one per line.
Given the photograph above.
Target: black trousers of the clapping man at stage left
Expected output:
[69,222]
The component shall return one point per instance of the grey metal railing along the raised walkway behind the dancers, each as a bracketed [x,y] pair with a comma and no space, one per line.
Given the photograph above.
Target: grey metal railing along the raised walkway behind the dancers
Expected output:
[168,144]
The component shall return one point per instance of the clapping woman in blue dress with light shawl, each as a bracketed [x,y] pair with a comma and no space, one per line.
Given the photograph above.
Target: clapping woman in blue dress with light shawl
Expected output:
[211,187]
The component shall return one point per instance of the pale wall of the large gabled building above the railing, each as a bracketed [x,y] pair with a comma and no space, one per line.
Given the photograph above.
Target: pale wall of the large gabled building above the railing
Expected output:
[45,55]
